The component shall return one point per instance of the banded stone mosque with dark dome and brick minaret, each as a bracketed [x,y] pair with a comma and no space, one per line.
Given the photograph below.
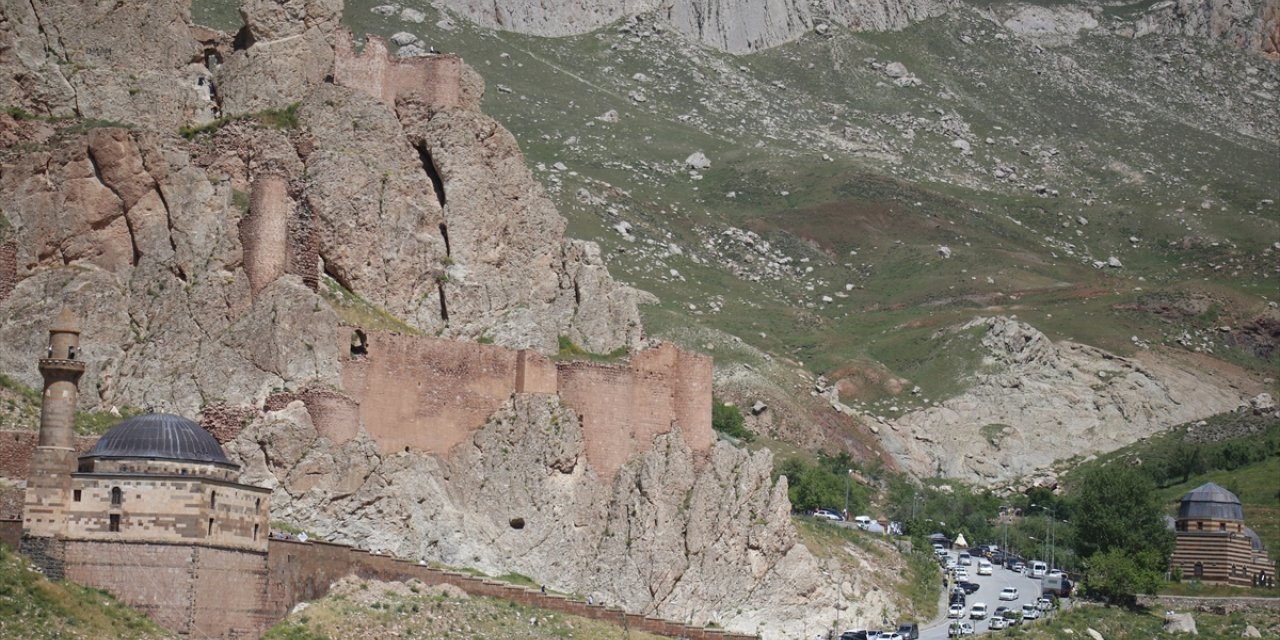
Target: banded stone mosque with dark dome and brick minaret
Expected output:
[153,514]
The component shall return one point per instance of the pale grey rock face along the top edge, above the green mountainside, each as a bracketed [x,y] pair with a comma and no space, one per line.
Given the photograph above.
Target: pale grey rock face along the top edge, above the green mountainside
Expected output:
[737,26]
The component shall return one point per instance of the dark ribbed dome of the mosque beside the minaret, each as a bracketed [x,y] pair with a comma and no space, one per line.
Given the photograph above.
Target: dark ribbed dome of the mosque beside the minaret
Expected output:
[159,436]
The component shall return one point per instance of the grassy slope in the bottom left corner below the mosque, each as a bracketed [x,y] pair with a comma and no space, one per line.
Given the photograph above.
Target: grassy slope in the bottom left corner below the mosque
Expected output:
[34,609]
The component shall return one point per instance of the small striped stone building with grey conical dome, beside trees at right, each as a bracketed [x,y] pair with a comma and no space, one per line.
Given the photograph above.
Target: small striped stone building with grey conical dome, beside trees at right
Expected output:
[1213,543]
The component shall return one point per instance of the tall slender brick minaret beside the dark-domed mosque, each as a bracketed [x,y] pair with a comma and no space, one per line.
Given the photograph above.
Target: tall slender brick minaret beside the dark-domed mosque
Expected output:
[44,513]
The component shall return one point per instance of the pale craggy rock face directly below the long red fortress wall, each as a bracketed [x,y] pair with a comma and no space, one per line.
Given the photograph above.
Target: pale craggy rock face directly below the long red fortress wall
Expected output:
[684,538]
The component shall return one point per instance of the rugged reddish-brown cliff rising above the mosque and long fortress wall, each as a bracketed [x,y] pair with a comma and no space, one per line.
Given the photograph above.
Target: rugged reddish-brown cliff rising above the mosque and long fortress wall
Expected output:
[195,263]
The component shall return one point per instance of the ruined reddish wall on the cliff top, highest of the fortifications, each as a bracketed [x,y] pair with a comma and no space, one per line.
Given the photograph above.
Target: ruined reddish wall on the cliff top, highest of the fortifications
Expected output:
[437,79]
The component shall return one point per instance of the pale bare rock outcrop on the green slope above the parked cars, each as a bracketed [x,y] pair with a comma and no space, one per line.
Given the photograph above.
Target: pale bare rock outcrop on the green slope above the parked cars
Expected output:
[1034,399]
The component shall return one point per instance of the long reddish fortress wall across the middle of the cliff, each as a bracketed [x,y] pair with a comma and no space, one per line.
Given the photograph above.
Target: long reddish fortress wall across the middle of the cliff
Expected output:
[431,395]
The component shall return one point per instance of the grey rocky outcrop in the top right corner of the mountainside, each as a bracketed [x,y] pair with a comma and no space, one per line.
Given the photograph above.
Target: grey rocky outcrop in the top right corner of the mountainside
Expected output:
[1250,25]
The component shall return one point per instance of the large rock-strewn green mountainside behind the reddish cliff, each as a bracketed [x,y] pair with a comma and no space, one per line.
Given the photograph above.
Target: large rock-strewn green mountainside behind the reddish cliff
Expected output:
[816,235]
